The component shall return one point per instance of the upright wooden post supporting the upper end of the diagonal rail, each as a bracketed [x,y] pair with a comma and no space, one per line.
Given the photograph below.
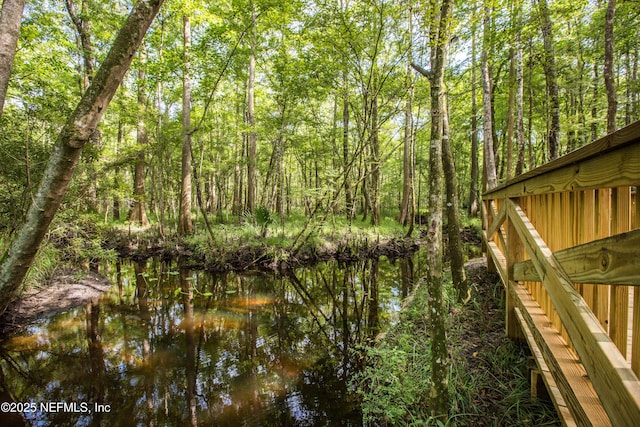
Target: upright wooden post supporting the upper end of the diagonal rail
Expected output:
[515,253]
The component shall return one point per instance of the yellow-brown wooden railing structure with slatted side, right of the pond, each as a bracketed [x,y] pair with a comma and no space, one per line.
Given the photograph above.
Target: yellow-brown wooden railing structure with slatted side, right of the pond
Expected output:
[565,240]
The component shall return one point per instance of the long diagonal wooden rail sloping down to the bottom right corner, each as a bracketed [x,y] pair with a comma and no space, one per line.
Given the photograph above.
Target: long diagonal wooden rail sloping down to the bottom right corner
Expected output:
[616,384]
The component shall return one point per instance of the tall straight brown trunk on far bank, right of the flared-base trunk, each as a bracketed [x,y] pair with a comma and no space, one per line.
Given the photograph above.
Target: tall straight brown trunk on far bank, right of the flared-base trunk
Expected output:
[185,226]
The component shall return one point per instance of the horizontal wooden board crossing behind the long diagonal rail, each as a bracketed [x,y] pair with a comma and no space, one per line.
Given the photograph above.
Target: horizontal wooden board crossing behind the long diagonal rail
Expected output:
[612,260]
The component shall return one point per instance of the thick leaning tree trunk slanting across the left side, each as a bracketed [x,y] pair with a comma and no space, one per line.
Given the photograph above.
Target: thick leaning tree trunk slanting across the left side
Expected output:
[78,129]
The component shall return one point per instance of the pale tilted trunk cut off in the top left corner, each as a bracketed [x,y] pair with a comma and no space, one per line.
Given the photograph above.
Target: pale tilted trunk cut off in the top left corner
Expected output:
[10,18]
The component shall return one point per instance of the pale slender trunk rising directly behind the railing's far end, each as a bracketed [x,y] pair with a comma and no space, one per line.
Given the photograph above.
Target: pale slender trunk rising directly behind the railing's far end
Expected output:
[487,133]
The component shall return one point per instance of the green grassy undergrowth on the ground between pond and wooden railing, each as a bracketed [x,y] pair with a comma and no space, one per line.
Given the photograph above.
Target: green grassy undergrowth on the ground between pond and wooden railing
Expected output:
[489,374]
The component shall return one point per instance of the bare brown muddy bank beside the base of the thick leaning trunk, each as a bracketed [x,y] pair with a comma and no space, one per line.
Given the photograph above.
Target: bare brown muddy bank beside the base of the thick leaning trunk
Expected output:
[66,289]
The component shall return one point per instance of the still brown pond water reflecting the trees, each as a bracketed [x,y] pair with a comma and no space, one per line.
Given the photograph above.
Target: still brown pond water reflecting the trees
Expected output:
[172,347]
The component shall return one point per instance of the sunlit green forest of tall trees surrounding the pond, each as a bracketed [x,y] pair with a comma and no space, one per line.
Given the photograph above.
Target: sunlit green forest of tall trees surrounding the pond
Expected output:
[218,123]
